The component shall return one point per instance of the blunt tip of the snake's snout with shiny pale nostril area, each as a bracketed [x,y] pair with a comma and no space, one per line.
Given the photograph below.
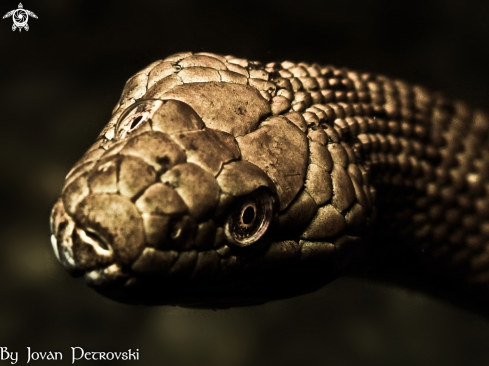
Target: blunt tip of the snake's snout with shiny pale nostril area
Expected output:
[105,230]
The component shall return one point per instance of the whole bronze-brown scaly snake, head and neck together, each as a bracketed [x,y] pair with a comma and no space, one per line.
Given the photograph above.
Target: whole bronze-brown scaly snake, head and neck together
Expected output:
[220,182]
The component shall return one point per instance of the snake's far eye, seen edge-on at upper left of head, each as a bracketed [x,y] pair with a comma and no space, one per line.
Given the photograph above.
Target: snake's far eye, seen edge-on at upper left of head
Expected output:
[135,116]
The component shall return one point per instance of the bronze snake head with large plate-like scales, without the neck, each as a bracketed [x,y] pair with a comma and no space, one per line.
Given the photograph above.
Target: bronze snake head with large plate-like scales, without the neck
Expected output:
[195,194]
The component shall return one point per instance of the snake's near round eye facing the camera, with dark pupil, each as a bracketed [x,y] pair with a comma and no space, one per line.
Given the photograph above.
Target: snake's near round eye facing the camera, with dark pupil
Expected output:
[249,221]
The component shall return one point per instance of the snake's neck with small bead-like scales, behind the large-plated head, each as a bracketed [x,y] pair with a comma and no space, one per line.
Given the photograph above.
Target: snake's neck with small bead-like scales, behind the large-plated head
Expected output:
[423,158]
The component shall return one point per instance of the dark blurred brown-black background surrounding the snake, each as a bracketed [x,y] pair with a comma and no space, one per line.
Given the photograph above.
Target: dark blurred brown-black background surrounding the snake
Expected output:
[58,84]
